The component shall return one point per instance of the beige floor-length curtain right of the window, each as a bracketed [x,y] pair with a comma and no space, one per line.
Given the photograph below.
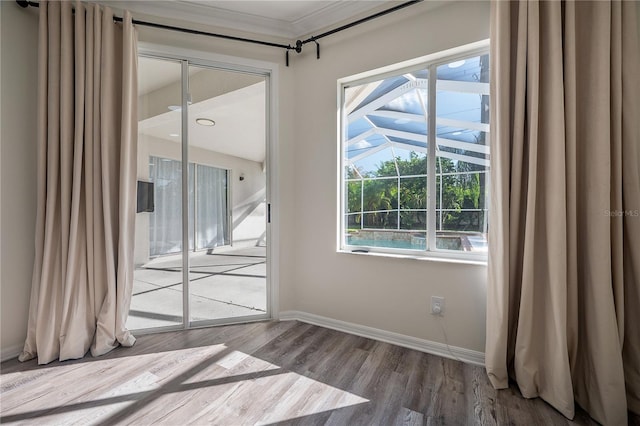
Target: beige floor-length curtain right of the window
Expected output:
[563,311]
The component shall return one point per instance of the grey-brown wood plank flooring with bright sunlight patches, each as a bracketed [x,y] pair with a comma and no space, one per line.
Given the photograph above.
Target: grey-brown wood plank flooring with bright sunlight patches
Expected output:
[263,373]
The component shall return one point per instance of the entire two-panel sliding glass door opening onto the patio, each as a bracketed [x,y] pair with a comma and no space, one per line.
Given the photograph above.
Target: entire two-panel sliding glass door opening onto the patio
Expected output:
[201,245]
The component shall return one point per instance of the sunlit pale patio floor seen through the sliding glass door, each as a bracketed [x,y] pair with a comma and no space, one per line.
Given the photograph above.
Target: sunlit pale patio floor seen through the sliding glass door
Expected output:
[225,283]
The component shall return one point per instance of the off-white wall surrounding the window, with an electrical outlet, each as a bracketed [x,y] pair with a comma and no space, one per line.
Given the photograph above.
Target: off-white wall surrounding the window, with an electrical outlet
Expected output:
[386,293]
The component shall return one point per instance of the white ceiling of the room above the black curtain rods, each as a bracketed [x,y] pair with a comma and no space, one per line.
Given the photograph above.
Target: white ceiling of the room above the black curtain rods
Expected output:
[285,19]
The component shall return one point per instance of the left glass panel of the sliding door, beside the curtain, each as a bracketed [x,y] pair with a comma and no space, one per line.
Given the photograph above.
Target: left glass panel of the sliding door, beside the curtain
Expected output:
[157,298]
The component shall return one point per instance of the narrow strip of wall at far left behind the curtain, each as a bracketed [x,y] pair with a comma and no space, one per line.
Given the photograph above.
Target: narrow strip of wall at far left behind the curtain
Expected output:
[18,63]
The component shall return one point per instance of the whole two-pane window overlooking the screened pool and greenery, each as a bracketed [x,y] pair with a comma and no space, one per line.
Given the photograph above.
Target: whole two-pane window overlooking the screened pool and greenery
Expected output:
[415,159]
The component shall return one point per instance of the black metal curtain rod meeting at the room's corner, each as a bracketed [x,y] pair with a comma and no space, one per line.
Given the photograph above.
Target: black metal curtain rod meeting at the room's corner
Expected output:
[287,47]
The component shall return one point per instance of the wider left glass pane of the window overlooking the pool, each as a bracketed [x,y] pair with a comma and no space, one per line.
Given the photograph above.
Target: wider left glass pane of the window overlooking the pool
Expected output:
[385,152]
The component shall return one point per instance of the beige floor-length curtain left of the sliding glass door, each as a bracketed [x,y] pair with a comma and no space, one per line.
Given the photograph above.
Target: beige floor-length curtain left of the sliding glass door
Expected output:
[87,132]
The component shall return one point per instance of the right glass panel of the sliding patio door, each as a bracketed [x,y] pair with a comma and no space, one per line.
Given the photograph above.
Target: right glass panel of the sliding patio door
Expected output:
[227,147]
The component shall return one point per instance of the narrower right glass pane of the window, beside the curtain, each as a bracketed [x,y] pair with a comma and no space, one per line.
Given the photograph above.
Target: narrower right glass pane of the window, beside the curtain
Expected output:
[462,163]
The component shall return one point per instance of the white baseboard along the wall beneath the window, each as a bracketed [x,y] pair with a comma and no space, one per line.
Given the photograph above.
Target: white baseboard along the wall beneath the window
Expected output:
[435,348]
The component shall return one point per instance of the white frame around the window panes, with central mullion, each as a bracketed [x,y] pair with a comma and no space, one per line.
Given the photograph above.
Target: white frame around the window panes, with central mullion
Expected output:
[430,62]
